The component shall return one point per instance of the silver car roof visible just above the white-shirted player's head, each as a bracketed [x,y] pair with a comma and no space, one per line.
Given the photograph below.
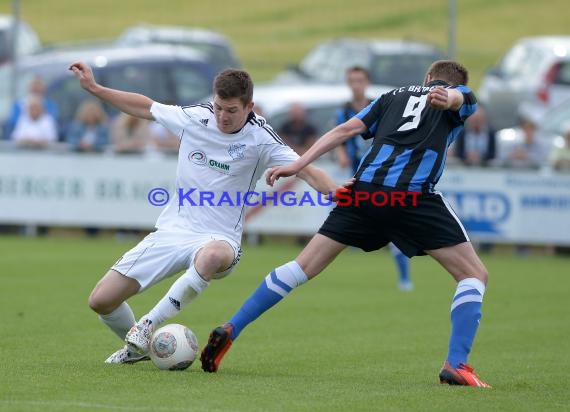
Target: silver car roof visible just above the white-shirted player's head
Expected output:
[217,47]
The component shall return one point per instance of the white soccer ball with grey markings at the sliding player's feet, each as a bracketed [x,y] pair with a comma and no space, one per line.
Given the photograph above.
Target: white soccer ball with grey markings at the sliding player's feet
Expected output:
[173,347]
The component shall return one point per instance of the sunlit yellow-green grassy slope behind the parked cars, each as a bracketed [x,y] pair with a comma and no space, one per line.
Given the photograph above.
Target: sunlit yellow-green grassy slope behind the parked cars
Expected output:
[268,35]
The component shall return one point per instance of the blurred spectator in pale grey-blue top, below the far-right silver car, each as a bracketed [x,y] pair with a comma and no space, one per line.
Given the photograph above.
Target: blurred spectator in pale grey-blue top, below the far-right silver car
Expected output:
[528,153]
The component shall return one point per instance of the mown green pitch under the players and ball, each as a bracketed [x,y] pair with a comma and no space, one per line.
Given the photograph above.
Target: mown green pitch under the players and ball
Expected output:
[347,341]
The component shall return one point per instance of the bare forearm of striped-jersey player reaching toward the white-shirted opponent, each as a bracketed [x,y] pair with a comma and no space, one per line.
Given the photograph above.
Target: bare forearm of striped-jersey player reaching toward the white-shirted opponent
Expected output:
[327,142]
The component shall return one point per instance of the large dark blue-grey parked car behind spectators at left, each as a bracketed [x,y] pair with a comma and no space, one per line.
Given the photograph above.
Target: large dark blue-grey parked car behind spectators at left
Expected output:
[170,74]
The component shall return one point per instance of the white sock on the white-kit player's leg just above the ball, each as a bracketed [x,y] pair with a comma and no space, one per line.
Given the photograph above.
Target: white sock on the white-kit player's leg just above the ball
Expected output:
[180,294]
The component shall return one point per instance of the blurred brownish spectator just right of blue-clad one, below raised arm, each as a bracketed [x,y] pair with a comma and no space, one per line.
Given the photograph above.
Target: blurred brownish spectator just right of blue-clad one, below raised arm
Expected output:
[130,134]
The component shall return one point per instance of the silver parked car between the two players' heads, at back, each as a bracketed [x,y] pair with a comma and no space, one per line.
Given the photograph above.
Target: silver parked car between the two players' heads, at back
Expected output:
[390,62]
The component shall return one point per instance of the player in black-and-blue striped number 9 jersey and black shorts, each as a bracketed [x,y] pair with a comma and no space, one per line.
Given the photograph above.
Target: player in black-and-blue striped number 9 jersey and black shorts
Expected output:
[412,128]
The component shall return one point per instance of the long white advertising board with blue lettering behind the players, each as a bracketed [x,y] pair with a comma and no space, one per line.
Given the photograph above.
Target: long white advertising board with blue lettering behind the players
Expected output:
[53,189]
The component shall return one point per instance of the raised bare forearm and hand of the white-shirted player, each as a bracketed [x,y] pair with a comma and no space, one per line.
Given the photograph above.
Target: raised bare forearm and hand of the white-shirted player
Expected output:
[131,103]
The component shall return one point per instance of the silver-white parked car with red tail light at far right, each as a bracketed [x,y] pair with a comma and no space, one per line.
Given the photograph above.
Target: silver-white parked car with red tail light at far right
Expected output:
[536,70]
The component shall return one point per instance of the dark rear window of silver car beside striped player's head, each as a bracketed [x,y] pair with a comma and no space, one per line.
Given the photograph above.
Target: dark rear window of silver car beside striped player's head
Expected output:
[400,69]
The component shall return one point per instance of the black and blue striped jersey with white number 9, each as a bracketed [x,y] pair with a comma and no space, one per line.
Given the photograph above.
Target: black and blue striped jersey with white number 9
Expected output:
[410,137]
